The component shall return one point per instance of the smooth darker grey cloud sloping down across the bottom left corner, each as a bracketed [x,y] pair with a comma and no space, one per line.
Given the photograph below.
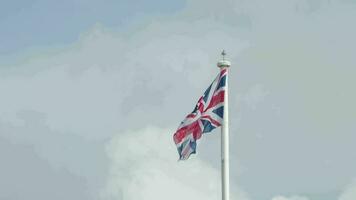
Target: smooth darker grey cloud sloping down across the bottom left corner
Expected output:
[26,175]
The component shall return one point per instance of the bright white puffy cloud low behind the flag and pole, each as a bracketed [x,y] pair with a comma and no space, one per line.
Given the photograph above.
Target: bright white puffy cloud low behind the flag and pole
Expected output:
[144,166]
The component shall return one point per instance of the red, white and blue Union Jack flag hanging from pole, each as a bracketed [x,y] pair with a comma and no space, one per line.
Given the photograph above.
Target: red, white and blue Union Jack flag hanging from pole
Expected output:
[206,116]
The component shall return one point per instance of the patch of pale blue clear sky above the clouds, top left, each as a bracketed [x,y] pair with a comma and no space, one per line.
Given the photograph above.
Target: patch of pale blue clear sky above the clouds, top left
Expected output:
[32,23]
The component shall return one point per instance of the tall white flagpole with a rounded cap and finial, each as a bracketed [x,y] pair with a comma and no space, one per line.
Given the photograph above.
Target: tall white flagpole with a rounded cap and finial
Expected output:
[225,180]
